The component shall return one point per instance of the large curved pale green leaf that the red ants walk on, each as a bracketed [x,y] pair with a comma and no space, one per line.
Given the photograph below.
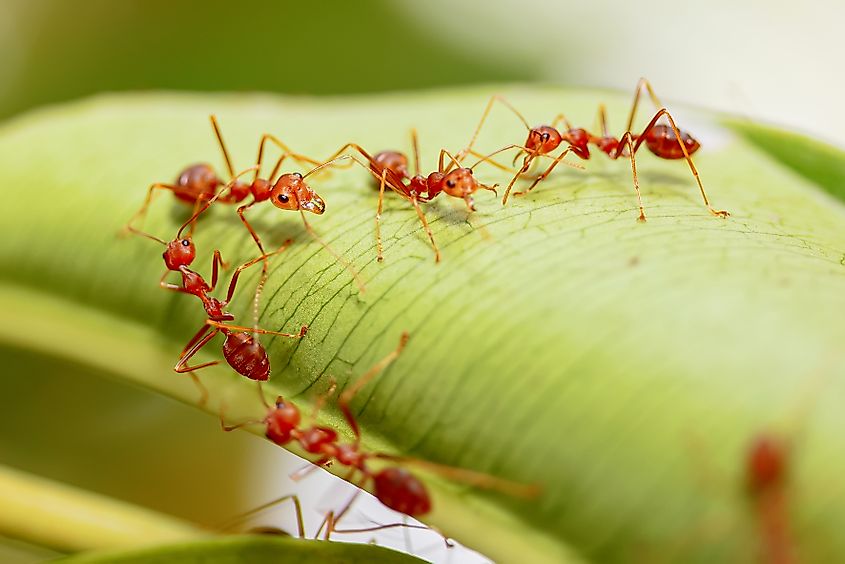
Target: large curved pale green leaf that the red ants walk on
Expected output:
[622,366]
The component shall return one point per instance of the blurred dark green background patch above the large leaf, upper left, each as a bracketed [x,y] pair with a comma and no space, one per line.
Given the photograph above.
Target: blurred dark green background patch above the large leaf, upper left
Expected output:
[56,50]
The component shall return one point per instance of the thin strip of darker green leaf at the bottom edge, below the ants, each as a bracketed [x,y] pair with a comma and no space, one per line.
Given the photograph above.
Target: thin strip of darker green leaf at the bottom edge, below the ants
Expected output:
[251,549]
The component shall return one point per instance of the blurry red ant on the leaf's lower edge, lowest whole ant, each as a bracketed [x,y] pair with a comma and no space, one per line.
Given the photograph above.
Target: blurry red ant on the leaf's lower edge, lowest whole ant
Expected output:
[394,486]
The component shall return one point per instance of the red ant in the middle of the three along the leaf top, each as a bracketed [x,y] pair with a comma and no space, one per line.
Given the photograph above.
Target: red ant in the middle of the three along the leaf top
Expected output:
[390,168]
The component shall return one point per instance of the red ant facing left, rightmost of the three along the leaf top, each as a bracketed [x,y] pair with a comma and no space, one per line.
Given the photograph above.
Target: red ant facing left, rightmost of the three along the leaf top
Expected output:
[664,141]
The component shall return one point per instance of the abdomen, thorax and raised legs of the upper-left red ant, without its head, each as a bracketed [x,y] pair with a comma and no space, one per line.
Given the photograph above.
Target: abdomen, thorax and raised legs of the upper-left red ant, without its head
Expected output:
[198,183]
